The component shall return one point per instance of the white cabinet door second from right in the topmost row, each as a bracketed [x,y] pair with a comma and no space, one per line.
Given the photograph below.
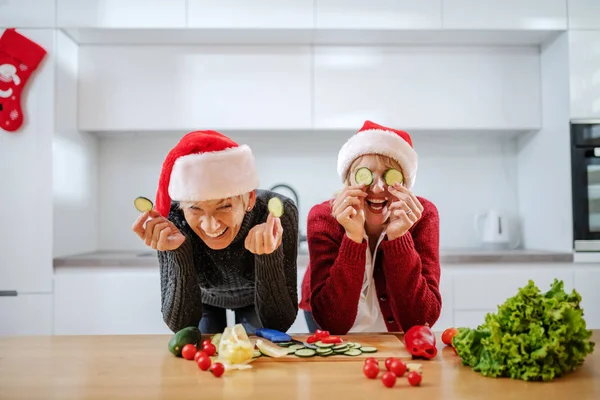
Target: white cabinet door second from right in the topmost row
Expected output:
[505,14]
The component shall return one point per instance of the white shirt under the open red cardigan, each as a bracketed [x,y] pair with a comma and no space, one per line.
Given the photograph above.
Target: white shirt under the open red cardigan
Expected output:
[369,317]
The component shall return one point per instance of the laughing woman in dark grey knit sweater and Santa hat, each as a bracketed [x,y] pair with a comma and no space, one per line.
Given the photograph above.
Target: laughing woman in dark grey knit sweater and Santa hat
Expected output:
[218,245]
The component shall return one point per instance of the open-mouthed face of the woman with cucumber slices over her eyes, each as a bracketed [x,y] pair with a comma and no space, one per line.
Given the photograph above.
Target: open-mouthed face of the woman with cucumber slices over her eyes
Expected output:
[378,198]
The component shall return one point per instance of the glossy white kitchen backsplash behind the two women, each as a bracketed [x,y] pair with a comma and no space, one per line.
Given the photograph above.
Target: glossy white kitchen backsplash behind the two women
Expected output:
[462,175]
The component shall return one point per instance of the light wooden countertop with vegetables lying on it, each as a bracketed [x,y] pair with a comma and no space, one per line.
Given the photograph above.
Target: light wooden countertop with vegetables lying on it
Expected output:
[140,367]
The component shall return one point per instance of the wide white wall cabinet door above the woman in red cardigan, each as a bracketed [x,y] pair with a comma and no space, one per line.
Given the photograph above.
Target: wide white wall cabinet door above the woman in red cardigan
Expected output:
[427,87]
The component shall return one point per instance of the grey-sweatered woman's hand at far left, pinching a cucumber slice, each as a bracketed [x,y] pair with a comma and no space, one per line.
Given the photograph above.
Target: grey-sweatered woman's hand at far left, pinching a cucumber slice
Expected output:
[159,233]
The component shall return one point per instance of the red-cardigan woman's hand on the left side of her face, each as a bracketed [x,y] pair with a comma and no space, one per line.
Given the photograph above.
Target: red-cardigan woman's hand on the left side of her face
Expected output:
[348,210]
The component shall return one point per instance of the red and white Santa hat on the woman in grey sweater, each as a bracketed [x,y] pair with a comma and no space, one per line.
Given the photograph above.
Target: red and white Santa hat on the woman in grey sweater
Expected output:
[205,165]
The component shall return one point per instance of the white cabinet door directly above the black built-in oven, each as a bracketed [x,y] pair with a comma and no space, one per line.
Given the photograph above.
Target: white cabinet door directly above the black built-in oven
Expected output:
[584,74]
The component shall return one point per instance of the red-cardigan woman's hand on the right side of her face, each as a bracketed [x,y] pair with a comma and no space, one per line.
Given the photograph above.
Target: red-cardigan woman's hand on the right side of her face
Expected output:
[404,212]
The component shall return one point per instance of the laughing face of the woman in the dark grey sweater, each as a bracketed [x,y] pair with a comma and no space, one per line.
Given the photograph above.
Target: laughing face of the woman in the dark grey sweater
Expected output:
[218,222]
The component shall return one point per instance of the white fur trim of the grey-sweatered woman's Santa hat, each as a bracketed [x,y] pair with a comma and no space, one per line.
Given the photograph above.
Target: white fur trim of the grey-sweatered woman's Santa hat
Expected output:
[213,176]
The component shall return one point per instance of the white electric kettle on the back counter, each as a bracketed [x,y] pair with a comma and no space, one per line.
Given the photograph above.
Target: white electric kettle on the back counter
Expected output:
[495,230]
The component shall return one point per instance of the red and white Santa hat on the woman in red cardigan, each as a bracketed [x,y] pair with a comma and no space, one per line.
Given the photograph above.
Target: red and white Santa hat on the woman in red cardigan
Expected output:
[373,138]
